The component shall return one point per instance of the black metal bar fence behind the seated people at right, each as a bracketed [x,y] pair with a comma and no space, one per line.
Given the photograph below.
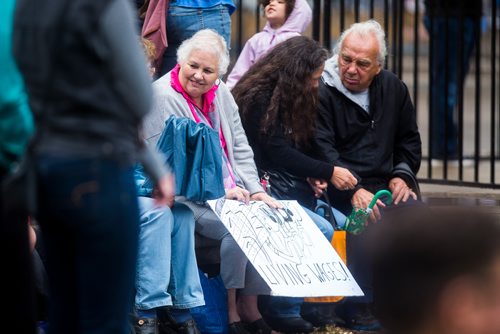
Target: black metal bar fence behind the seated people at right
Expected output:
[412,53]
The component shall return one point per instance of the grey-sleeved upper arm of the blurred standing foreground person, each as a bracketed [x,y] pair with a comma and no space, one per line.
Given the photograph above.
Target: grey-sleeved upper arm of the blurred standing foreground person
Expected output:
[126,60]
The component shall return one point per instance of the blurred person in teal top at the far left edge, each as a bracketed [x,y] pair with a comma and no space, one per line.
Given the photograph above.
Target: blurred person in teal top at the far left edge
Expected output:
[16,127]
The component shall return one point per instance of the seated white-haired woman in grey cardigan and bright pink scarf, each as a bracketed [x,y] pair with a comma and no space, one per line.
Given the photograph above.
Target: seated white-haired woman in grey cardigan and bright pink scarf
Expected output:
[193,90]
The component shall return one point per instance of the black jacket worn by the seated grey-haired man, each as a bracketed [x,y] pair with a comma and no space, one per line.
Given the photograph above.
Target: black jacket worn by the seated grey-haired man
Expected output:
[371,144]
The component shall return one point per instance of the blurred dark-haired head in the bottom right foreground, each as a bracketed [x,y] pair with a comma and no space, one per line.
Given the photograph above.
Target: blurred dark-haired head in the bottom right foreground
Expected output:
[437,271]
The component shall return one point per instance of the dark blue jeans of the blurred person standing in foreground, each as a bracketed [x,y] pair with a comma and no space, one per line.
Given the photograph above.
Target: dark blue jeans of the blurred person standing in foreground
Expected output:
[89,218]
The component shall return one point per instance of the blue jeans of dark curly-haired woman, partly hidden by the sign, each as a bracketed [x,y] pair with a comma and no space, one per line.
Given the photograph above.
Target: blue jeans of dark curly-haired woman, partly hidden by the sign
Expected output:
[287,307]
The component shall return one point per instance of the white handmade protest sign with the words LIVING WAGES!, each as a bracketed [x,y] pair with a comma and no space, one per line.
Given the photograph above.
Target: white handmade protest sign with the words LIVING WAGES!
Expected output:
[287,249]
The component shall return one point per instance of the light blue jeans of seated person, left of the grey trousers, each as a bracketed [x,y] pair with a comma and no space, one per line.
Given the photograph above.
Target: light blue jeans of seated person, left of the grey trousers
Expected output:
[167,273]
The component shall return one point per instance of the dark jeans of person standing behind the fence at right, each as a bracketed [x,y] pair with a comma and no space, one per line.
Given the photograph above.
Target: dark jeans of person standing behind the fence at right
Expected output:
[446,79]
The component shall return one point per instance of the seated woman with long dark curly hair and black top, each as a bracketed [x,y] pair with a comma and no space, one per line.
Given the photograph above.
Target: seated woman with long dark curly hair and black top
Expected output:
[277,98]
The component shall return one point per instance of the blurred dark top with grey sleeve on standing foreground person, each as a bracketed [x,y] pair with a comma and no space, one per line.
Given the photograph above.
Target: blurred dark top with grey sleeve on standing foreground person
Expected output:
[85,74]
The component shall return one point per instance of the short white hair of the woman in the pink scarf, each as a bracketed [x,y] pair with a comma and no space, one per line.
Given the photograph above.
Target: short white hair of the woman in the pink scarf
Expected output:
[206,40]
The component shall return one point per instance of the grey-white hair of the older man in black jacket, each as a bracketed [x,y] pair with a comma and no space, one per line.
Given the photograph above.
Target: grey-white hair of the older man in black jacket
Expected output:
[363,29]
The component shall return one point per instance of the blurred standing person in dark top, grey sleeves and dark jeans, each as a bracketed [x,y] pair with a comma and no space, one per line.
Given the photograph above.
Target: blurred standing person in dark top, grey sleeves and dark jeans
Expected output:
[88,60]
